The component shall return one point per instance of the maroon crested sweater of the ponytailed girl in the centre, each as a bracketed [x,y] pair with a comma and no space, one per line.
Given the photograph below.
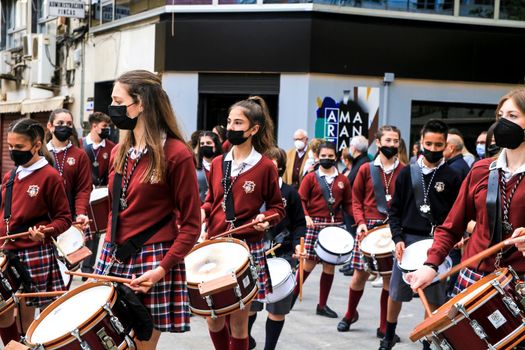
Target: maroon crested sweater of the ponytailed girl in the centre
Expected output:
[251,189]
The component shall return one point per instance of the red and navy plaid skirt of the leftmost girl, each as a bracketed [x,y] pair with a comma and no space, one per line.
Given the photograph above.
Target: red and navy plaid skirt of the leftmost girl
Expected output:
[41,263]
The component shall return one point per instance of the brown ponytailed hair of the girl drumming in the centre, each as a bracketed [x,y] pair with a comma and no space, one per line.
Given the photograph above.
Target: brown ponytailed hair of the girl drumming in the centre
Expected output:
[256,110]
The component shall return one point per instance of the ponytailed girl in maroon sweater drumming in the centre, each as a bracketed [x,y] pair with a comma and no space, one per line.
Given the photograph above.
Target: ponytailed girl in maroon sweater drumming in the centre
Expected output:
[241,181]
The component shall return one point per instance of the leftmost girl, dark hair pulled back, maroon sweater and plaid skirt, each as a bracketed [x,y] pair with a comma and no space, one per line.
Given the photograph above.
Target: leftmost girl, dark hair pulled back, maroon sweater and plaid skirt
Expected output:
[33,198]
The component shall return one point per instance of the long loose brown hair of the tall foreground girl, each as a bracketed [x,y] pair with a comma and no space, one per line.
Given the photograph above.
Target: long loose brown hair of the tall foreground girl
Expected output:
[158,117]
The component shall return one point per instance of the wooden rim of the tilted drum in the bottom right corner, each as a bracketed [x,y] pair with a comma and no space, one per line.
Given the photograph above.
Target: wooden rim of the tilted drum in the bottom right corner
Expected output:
[440,321]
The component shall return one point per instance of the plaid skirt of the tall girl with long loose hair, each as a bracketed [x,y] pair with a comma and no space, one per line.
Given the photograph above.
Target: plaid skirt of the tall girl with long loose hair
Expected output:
[167,301]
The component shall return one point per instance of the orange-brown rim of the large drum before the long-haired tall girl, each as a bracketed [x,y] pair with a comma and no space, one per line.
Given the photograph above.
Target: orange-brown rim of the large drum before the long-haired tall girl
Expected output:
[85,326]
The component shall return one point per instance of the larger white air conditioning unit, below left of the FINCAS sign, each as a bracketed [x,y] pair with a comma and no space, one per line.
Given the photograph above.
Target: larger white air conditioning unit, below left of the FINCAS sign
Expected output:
[43,59]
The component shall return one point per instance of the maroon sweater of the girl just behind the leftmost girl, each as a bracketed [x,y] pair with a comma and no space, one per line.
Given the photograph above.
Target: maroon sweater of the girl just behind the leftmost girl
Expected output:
[77,177]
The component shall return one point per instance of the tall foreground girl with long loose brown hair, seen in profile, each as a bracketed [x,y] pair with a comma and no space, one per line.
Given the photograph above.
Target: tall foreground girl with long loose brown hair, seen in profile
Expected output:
[155,202]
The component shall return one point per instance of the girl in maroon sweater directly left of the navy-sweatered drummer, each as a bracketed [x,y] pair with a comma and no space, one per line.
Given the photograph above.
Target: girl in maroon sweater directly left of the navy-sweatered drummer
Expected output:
[370,212]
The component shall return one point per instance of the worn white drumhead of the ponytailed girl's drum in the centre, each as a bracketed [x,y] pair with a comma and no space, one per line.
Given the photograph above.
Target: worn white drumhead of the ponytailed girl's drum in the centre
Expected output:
[214,260]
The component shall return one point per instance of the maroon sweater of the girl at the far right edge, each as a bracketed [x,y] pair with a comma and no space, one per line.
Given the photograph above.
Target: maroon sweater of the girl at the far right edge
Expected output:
[471,205]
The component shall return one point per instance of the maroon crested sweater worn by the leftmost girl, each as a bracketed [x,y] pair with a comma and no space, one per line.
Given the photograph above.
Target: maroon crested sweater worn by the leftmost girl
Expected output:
[37,195]
